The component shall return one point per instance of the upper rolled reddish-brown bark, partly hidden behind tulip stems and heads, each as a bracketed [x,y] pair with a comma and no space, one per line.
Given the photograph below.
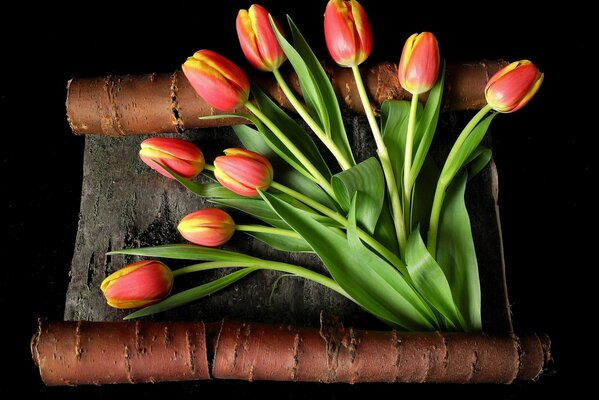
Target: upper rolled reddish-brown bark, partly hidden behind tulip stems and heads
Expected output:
[164,103]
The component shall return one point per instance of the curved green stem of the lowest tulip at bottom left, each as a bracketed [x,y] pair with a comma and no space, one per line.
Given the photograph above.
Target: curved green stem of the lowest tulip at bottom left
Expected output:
[270,265]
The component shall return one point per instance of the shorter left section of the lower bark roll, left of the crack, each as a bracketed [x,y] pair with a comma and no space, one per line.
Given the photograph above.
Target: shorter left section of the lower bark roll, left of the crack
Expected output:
[84,353]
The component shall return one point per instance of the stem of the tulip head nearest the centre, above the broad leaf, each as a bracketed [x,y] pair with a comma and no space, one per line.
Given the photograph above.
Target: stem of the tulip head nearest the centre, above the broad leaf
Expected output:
[372,242]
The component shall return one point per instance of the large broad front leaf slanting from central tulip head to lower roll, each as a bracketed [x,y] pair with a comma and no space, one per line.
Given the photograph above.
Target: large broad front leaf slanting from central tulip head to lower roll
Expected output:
[369,280]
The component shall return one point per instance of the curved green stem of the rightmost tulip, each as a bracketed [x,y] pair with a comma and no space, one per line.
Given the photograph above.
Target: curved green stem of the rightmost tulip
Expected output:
[446,178]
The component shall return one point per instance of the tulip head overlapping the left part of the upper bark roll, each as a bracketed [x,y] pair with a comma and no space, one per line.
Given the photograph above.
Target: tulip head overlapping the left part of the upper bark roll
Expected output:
[221,84]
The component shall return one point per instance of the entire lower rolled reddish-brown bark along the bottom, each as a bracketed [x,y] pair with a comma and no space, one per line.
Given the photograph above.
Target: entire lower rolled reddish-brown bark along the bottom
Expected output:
[75,353]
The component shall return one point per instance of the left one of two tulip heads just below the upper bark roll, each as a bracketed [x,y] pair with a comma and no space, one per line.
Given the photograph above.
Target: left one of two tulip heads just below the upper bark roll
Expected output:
[181,156]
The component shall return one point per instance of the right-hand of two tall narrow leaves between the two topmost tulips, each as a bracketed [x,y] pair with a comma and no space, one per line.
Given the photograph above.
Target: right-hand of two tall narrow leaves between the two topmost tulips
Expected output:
[335,128]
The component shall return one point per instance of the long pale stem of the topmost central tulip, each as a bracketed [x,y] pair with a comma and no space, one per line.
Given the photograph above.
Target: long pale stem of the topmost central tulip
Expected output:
[398,219]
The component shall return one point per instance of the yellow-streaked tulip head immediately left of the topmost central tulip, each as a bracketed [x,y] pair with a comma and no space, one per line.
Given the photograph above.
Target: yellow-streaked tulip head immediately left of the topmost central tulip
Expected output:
[258,40]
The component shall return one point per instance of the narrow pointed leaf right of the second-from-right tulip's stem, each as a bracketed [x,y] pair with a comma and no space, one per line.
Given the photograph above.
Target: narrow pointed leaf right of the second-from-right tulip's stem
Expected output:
[427,125]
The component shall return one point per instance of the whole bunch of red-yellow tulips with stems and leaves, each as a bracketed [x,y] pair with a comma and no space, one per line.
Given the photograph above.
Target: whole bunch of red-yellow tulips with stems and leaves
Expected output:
[392,231]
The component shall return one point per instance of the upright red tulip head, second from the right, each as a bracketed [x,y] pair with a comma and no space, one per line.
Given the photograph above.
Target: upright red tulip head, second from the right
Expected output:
[419,64]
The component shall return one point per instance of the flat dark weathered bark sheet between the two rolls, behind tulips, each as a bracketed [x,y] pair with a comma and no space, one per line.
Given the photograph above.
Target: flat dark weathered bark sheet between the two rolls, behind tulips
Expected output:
[124,204]
